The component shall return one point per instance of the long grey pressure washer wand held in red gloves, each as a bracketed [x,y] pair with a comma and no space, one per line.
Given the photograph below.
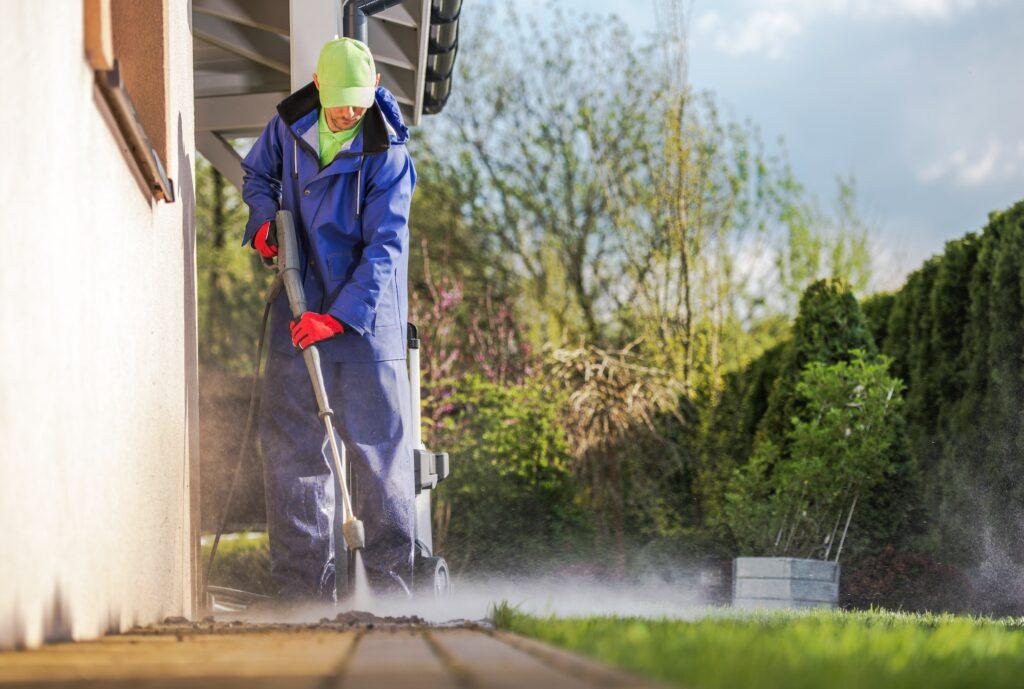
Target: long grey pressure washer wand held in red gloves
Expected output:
[291,275]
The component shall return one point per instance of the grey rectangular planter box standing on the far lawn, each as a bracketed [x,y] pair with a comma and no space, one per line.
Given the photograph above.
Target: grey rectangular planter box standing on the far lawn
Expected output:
[784,583]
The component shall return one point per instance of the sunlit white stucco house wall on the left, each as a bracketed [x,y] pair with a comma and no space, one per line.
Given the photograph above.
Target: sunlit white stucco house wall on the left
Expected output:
[96,344]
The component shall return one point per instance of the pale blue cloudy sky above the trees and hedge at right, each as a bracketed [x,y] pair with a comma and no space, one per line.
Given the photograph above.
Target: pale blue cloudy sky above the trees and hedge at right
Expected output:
[921,101]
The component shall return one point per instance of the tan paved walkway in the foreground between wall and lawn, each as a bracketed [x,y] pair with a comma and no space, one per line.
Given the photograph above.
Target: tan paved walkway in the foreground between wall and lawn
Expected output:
[322,657]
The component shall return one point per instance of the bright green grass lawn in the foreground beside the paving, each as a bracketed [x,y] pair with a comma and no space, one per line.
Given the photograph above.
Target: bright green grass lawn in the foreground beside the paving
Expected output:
[793,651]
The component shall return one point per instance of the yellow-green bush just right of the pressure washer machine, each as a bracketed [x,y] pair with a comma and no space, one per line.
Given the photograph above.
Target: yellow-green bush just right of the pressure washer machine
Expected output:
[511,502]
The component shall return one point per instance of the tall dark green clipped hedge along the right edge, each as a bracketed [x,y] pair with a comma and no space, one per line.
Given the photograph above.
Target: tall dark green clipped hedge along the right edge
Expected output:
[956,334]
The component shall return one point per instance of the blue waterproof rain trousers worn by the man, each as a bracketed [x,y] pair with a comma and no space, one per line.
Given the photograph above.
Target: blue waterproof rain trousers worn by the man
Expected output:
[371,404]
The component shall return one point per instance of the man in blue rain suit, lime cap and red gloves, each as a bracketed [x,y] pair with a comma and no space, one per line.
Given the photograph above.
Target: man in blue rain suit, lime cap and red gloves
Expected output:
[335,157]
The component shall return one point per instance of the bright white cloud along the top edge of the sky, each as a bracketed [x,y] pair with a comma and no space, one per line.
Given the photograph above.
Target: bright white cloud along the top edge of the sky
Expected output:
[769,27]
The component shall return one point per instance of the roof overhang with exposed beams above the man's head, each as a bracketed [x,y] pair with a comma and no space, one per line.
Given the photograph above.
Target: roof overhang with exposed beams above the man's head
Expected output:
[249,55]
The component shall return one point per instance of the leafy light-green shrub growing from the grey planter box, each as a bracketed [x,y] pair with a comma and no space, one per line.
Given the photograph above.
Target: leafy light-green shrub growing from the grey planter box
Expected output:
[846,444]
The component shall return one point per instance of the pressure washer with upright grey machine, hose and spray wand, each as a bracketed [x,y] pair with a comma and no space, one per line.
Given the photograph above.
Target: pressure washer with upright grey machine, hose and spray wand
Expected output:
[431,573]
